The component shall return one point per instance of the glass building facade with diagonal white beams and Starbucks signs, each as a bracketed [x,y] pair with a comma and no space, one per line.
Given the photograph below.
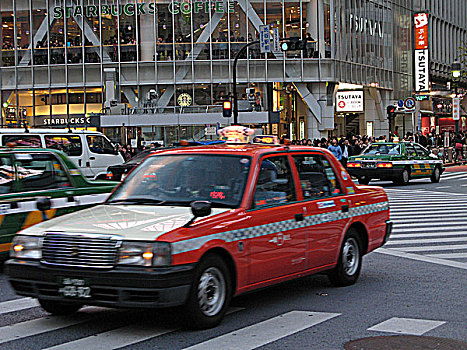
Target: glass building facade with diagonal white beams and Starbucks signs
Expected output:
[161,69]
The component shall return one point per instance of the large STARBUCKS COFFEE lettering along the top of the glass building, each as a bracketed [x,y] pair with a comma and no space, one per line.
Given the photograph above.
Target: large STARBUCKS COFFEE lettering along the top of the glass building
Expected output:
[142,8]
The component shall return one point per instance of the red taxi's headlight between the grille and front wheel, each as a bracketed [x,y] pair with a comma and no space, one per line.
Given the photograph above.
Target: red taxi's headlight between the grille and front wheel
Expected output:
[145,254]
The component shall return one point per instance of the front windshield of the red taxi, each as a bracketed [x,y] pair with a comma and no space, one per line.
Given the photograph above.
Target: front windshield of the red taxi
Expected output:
[182,179]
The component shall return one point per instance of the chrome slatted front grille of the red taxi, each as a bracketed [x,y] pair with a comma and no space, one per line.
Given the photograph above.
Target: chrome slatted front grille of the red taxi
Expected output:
[79,250]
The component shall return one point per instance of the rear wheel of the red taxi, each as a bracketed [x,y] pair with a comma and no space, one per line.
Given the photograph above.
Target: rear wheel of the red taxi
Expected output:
[349,264]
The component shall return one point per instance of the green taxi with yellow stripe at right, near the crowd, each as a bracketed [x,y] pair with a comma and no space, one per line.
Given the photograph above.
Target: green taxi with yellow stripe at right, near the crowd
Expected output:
[398,162]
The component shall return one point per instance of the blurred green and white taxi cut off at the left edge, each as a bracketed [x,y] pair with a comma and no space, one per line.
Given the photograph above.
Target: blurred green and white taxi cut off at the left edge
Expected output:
[38,184]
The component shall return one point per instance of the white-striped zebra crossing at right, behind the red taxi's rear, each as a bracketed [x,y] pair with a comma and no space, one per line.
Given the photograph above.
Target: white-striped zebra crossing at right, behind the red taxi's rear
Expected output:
[429,223]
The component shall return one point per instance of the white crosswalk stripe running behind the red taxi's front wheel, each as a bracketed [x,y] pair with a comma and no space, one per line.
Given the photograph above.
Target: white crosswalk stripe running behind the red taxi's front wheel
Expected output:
[121,337]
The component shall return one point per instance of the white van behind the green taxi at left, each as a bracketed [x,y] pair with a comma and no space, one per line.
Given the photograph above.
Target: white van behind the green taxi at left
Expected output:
[92,151]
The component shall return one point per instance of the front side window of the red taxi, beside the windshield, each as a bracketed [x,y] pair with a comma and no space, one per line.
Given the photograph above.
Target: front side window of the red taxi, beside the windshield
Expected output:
[275,183]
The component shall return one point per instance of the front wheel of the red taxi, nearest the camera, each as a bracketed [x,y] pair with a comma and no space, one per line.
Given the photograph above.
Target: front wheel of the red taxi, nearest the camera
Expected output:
[209,295]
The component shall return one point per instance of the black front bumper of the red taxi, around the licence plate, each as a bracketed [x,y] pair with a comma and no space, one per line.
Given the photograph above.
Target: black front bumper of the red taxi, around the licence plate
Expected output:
[121,287]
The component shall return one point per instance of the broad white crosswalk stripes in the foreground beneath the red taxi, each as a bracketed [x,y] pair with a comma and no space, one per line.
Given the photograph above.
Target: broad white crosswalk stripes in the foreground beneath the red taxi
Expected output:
[252,336]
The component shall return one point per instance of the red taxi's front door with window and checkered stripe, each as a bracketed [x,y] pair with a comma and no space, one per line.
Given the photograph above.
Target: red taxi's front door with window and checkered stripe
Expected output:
[277,239]
